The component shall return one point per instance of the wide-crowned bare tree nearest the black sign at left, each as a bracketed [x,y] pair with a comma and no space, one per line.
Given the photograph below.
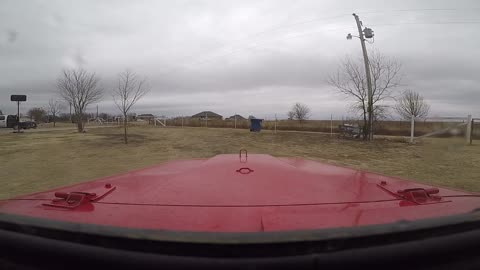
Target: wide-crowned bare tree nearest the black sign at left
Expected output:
[79,88]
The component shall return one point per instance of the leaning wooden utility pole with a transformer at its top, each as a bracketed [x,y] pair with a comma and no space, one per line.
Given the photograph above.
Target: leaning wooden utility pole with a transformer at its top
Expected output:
[367,71]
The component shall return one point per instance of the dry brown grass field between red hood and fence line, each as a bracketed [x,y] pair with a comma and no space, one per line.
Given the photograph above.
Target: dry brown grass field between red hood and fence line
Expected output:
[35,161]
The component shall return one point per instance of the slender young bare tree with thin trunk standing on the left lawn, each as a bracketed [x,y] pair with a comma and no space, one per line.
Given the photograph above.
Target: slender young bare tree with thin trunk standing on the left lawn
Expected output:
[129,90]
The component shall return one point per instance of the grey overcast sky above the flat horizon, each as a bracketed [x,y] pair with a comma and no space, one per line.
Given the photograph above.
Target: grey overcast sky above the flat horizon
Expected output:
[249,57]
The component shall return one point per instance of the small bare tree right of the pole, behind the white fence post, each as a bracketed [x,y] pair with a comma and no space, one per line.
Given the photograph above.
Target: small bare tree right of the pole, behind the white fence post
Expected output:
[411,103]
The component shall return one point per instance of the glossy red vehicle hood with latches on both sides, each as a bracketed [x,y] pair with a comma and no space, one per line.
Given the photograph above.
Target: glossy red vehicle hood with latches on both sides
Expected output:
[228,193]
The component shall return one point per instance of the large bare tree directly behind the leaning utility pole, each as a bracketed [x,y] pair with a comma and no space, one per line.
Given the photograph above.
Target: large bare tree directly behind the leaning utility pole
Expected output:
[350,80]
